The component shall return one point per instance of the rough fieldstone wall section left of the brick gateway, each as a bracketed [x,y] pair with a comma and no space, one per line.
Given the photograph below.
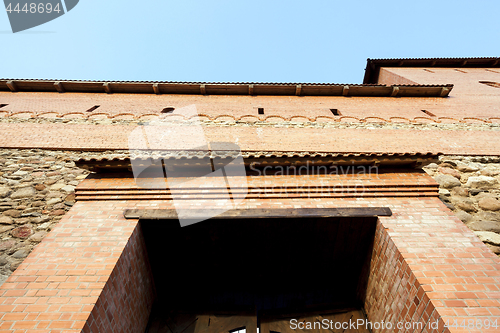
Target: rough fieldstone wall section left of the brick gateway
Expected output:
[36,189]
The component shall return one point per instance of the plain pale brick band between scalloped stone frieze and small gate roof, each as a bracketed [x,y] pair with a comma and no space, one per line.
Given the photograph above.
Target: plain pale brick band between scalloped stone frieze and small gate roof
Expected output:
[104,137]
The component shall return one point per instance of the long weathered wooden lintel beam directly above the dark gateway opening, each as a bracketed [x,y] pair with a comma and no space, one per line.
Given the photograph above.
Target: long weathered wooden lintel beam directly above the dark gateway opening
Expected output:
[168,214]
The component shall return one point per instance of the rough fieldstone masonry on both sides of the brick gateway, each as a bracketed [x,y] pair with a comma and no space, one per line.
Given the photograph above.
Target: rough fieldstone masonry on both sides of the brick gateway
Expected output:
[37,188]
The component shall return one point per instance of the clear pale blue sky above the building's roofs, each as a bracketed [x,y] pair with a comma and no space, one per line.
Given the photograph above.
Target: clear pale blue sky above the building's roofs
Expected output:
[266,41]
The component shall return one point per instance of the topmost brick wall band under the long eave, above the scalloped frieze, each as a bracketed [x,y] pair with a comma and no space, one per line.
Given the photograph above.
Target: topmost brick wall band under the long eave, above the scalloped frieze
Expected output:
[461,104]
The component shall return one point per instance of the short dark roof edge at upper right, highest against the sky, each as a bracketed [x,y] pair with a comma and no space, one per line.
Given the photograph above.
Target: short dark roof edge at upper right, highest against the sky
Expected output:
[373,65]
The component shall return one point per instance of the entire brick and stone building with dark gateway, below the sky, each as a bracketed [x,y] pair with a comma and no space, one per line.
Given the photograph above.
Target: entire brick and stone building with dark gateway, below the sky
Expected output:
[216,207]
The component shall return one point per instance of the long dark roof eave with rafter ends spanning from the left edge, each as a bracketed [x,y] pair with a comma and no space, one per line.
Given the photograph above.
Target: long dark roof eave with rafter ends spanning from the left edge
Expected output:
[225,88]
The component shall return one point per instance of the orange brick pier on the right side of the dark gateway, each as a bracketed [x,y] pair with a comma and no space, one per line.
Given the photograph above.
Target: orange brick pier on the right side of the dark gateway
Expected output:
[428,266]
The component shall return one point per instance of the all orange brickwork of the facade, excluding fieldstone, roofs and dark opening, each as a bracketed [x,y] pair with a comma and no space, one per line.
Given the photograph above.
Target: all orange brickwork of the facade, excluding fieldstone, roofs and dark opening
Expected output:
[90,274]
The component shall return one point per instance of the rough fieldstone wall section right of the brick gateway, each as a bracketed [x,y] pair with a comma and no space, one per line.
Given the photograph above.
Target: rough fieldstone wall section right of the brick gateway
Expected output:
[470,187]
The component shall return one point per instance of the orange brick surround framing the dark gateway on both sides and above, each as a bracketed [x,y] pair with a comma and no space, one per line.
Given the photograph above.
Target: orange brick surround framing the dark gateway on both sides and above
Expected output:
[427,265]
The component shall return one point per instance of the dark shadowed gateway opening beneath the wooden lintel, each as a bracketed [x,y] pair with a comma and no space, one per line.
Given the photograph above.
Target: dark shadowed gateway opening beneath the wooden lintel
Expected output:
[280,274]
